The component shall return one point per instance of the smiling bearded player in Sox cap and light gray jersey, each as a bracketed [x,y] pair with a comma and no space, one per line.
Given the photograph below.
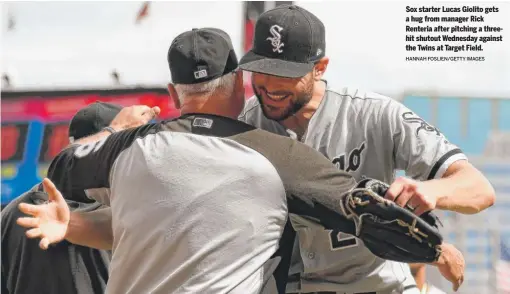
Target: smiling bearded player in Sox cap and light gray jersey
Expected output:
[363,133]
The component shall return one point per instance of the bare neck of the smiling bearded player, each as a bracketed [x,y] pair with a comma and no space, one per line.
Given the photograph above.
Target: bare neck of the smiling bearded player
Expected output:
[299,121]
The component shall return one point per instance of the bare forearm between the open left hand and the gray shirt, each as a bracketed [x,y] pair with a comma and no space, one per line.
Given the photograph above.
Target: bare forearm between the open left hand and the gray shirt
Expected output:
[92,229]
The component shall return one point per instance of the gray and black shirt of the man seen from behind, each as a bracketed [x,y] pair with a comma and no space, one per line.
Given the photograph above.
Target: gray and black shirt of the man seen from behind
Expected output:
[199,203]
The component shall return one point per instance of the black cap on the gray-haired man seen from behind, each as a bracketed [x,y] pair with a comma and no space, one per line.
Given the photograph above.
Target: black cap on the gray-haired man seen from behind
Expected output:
[201,55]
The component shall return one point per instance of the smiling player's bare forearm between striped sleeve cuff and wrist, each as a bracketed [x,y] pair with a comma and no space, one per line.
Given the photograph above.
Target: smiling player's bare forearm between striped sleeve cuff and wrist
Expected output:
[465,190]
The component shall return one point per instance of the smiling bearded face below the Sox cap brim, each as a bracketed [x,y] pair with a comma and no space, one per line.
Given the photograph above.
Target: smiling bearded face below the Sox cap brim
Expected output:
[282,97]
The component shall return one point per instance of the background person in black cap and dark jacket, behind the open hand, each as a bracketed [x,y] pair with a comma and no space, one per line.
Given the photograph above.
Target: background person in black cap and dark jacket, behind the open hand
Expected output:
[65,267]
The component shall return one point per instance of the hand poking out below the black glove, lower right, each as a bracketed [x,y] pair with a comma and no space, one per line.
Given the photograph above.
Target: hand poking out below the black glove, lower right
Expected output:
[451,265]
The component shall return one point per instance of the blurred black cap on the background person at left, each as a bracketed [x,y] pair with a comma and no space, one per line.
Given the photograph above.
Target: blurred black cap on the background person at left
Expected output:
[92,119]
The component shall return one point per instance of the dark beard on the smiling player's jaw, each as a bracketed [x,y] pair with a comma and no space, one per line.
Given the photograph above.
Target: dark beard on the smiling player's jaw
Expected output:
[302,98]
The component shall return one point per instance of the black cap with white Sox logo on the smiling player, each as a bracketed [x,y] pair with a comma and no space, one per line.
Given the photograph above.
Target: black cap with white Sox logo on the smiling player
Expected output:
[288,41]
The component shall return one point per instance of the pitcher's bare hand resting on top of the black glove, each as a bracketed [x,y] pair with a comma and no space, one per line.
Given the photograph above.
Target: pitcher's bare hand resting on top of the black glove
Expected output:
[413,194]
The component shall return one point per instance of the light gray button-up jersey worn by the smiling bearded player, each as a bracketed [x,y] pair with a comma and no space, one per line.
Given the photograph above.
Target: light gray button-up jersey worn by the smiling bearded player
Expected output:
[364,134]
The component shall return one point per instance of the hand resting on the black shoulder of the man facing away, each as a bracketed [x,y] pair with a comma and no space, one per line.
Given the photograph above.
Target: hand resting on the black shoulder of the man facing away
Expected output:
[134,116]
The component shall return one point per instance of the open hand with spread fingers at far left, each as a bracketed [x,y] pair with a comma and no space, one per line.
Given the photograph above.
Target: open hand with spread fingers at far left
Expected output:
[49,221]
